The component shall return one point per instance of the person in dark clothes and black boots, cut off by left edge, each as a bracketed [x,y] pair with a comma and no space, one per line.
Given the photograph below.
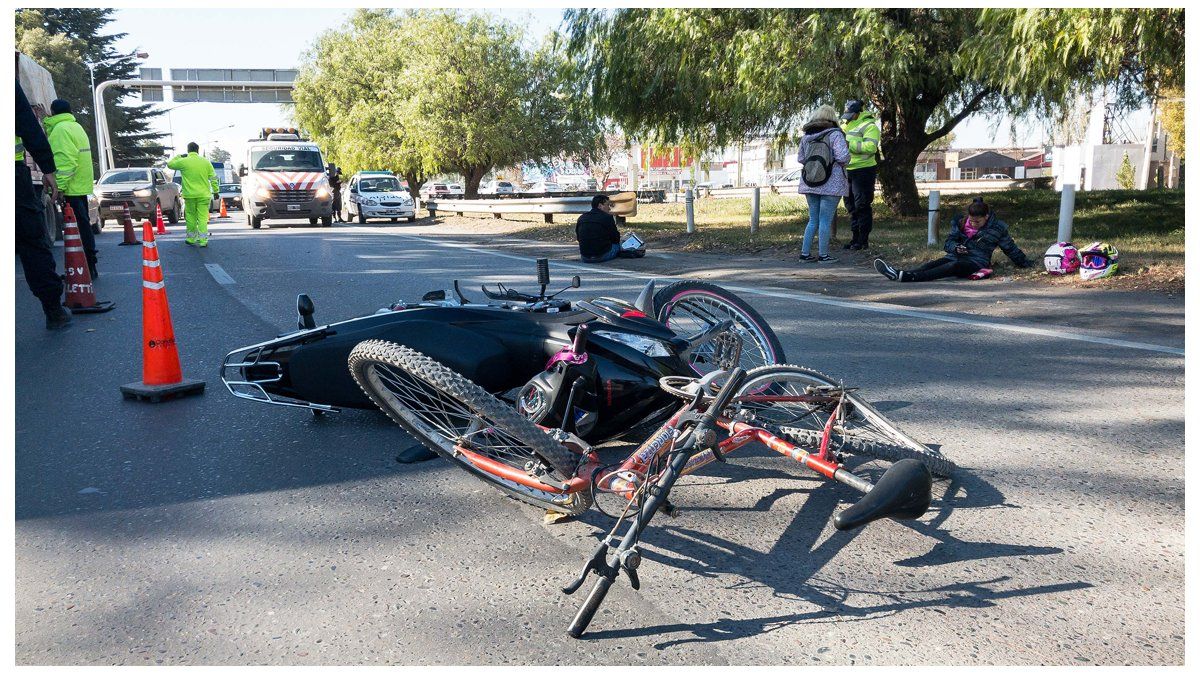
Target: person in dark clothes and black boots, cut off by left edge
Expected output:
[33,247]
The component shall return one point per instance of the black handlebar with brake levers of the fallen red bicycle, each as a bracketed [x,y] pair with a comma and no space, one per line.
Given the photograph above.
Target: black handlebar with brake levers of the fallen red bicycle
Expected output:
[626,557]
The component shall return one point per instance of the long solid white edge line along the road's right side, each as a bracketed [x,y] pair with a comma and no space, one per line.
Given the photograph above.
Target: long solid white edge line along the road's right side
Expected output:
[801,296]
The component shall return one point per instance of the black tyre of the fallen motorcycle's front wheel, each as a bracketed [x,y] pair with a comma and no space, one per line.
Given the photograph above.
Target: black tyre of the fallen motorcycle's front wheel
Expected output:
[681,295]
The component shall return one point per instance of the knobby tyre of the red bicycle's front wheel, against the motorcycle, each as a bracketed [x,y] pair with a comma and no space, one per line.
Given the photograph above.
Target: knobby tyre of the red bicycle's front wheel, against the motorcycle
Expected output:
[437,380]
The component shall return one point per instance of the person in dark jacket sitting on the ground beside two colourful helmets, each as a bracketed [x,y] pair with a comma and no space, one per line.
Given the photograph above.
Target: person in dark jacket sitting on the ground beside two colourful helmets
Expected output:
[969,249]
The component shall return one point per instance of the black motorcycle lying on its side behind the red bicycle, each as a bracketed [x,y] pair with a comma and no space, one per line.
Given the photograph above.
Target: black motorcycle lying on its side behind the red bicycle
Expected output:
[591,368]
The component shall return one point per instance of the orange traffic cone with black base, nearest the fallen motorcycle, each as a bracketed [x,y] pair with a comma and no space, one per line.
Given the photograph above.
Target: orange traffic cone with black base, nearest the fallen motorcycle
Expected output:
[161,377]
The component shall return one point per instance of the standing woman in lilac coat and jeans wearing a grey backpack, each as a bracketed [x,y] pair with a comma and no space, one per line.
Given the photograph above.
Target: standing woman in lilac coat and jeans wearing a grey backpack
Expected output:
[824,158]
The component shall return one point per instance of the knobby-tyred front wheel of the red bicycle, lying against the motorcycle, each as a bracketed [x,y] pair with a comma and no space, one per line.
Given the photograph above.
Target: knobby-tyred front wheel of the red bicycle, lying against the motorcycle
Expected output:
[443,410]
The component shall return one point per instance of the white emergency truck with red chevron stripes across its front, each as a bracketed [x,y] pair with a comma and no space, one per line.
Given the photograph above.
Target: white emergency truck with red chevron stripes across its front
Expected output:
[284,177]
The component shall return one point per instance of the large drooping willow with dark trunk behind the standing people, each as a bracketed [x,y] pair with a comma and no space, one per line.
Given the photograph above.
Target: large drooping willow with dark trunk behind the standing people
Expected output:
[711,77]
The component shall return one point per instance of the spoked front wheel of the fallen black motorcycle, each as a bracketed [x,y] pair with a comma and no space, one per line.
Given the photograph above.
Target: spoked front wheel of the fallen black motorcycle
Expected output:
[691,307]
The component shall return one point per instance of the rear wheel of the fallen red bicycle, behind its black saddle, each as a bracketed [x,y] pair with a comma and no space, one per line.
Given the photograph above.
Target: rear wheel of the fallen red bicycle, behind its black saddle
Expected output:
[861,429]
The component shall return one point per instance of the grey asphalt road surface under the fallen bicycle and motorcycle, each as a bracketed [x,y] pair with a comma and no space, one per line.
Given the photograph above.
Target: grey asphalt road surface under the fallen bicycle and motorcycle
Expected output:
[219,531]
